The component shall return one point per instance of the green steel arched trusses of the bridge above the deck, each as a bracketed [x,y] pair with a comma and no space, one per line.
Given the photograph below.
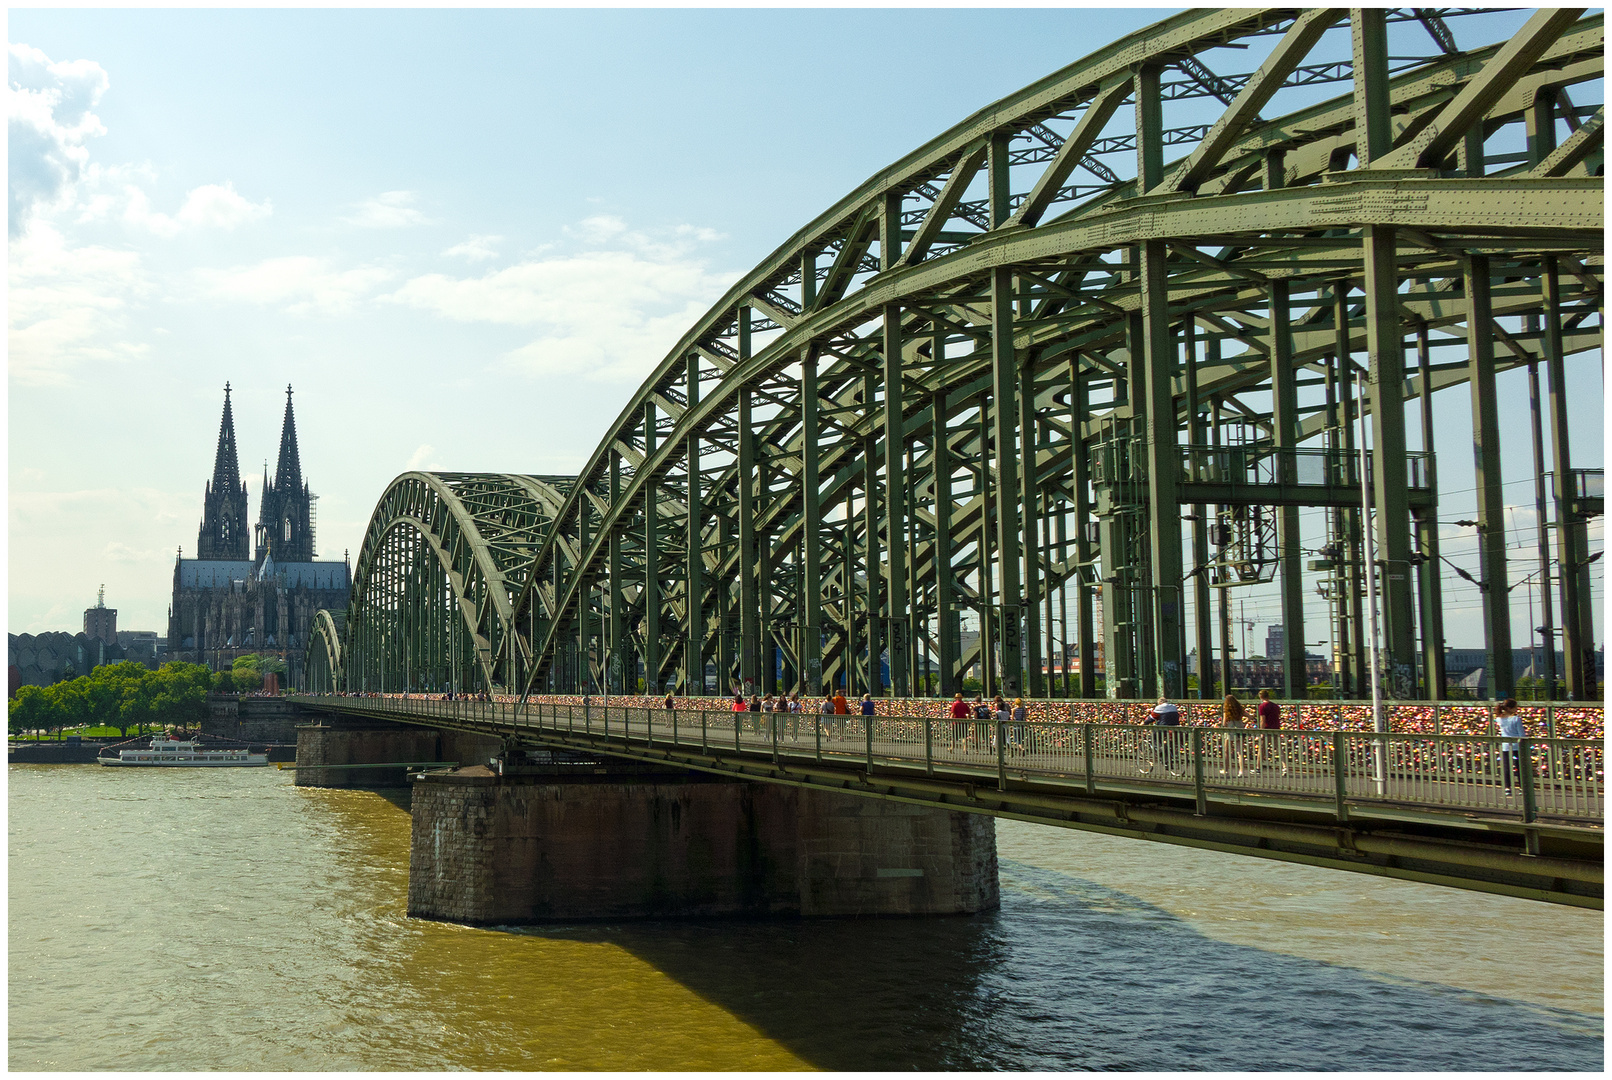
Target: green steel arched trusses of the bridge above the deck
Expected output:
[1007,368]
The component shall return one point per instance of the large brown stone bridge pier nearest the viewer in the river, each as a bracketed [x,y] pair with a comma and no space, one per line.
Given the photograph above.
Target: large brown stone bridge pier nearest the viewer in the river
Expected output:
[534,849]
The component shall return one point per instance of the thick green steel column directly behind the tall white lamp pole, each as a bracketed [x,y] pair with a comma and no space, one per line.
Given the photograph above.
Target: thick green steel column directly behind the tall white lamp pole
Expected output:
[1390,499]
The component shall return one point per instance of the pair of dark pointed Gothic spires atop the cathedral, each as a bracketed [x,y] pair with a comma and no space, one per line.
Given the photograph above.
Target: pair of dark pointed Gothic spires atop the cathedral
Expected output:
[285,520]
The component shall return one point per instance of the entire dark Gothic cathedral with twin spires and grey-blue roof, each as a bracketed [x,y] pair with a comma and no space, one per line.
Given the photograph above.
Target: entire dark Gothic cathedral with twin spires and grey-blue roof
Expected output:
[231,600]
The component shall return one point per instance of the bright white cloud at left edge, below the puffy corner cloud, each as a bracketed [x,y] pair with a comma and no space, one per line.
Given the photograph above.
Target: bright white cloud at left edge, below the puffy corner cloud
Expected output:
[69,305]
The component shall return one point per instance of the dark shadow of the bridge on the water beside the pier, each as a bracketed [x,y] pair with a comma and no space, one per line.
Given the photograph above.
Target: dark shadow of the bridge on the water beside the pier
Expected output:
[1071,974]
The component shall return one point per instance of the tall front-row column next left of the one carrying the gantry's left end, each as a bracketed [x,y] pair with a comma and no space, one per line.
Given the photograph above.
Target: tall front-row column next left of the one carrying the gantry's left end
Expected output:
[1005,386]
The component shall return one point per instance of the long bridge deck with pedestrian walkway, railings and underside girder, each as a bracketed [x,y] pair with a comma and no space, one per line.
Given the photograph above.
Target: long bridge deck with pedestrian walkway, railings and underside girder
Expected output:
[1419,807]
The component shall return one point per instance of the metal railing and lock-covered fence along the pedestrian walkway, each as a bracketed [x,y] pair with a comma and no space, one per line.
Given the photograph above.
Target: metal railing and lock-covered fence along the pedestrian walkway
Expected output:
[1531,779]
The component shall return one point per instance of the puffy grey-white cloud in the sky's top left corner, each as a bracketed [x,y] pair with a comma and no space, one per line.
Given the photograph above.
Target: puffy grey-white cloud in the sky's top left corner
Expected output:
[48,122]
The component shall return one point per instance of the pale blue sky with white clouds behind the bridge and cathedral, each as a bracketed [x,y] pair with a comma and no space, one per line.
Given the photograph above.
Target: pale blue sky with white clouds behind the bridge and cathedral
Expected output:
[462,236]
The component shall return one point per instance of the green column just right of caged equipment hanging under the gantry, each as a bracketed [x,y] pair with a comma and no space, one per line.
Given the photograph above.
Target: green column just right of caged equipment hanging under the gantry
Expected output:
[1286,428]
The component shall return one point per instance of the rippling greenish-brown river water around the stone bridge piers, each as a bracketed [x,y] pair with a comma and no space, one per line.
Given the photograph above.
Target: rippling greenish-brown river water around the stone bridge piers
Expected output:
[225,920]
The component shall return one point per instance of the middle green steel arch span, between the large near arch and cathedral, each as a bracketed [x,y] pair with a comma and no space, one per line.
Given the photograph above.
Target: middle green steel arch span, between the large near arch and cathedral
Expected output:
[436,581]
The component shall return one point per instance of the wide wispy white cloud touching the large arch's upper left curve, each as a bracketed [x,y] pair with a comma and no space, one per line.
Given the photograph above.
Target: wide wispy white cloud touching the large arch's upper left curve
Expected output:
[600,314]
